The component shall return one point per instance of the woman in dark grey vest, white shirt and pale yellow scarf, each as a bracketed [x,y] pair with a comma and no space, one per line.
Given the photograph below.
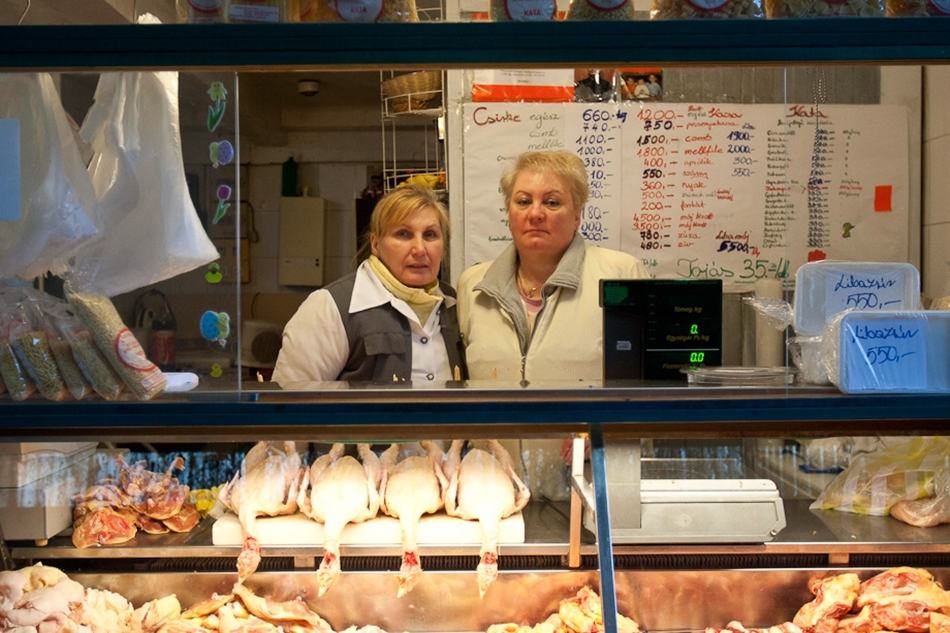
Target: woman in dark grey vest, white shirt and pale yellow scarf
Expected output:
[391,320]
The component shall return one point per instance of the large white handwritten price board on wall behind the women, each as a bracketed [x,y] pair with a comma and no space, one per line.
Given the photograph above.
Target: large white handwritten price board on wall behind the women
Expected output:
[703,191]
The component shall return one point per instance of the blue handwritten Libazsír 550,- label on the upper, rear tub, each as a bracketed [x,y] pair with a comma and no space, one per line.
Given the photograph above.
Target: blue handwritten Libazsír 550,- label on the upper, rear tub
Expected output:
[864,290]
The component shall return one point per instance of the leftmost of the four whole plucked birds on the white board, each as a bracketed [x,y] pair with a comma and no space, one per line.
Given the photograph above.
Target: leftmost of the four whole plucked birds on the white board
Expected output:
[266,485]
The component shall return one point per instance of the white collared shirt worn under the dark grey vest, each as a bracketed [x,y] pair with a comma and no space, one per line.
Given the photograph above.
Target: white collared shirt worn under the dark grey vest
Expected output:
[315,346]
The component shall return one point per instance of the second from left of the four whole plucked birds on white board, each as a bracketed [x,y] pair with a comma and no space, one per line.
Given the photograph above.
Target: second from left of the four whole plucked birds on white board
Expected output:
[341,491]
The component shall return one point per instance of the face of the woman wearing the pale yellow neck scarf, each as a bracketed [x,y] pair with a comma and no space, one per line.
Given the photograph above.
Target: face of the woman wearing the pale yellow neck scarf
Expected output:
[412,250]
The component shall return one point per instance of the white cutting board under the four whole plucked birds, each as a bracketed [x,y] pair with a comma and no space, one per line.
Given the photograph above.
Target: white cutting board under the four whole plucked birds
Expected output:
[298,529]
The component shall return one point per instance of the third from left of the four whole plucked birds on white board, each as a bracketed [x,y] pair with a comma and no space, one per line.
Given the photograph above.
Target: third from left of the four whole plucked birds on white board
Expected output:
[412,485]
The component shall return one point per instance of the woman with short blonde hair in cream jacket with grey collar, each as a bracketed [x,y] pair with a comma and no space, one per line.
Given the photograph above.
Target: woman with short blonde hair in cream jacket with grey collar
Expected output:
[534,313]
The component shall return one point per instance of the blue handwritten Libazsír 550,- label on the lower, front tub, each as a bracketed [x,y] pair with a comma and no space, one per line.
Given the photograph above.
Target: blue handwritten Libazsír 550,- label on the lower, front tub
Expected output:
[884,354]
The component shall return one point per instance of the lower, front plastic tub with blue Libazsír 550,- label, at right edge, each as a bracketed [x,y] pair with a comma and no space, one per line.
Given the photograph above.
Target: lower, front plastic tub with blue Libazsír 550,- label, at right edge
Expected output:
[891,352]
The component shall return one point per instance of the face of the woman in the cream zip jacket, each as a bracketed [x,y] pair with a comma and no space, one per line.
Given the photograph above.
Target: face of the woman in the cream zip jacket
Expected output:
[542,216]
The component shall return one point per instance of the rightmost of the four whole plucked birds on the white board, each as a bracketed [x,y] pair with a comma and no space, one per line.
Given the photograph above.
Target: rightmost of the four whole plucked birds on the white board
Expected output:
[480,488]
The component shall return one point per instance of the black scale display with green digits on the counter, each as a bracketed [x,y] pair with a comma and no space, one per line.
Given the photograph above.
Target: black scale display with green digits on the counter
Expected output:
[653,328]
